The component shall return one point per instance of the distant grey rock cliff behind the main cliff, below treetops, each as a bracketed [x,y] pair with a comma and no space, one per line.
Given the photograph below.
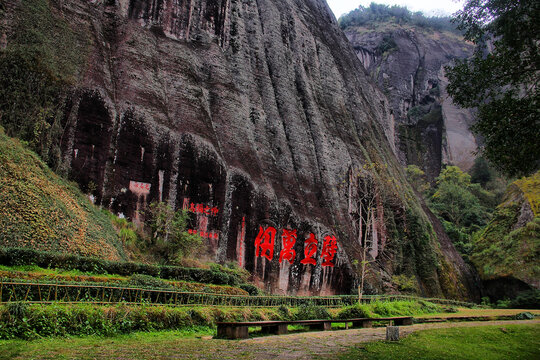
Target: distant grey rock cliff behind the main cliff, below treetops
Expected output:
[408,64]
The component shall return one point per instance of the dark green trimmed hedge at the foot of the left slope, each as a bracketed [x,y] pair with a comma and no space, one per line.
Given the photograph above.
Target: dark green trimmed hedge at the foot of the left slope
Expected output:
[23,256]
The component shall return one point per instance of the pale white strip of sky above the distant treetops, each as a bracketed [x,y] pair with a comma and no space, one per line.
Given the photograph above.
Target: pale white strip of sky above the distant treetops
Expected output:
[428,7]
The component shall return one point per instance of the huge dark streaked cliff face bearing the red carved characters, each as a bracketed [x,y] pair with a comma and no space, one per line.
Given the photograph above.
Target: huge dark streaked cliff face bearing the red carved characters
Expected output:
[253,116]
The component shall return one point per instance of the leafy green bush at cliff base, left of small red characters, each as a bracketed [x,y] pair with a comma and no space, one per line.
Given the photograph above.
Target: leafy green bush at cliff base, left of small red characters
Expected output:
[169,232]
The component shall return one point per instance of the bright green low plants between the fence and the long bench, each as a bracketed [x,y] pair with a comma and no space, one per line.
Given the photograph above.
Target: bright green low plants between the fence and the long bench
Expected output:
[27,321]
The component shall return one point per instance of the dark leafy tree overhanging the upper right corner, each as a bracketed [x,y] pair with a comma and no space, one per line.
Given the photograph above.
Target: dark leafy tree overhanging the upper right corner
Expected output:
[502,80]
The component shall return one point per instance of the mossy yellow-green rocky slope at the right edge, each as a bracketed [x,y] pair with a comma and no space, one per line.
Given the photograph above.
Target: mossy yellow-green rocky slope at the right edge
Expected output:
[510,244]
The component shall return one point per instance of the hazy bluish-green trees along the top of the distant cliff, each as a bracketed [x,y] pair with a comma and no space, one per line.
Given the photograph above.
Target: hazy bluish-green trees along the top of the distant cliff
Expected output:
[397,14]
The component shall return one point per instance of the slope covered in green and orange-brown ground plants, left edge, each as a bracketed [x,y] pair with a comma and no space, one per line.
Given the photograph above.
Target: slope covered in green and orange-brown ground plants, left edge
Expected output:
[40,210]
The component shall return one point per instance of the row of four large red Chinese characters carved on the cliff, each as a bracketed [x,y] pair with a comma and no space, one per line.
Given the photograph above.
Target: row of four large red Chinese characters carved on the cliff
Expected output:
[265,241]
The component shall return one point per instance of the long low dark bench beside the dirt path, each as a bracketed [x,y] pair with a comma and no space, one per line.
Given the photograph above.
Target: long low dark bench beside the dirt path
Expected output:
[240,330]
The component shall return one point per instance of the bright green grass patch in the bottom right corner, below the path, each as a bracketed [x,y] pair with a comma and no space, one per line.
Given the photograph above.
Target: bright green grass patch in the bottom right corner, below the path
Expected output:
[489,342]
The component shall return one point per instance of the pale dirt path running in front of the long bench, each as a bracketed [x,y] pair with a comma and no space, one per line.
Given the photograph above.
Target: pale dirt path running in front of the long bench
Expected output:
[310,344]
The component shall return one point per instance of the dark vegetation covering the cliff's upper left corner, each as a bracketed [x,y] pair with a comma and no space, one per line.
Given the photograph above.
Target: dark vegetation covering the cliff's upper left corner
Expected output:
[41,61]
